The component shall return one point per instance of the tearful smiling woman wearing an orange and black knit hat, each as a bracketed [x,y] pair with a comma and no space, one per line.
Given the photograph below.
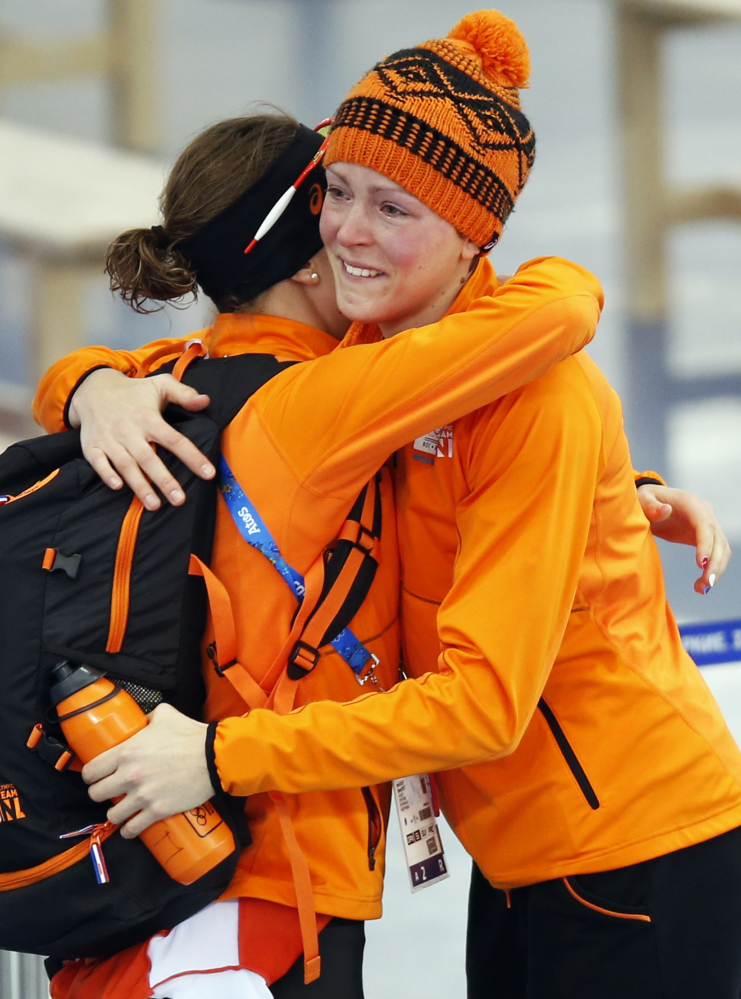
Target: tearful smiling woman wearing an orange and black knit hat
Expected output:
[597,786]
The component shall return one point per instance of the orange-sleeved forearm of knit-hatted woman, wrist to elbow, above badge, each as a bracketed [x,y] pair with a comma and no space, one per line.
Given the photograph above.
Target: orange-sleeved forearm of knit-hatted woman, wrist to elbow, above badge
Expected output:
[328,746]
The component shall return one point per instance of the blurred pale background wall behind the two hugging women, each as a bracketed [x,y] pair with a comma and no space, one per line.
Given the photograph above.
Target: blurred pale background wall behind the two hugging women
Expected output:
[63,193]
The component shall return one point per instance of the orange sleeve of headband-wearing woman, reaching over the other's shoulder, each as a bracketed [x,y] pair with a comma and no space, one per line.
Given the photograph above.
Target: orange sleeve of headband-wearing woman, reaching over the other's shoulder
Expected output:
[353,408]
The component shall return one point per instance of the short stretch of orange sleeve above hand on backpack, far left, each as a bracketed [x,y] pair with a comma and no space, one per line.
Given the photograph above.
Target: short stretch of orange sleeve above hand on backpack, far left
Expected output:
[59,383]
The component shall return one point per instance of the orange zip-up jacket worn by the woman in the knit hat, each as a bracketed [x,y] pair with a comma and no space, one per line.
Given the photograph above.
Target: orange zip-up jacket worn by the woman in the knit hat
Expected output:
[547,666]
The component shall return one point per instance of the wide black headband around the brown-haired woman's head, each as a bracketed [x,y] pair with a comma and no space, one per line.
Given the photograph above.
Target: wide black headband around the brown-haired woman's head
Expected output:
[216,251]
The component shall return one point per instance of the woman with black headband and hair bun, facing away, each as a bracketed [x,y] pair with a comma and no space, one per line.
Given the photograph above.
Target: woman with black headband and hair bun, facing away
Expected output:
[302,449]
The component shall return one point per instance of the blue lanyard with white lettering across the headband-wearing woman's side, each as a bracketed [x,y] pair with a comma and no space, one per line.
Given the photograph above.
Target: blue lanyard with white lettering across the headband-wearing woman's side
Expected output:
[255,532]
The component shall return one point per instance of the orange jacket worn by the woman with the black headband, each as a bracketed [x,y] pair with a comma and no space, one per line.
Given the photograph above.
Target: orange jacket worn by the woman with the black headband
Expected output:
[302,449]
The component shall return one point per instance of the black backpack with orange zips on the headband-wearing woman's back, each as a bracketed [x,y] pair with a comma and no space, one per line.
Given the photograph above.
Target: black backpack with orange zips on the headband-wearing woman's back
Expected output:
[60,542]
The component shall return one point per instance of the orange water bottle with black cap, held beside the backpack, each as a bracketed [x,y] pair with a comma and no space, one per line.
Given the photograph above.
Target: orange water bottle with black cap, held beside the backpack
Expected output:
[96,715]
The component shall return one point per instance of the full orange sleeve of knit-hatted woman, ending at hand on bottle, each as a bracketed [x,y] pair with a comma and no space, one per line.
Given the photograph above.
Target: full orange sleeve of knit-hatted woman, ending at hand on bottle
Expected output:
[536,459]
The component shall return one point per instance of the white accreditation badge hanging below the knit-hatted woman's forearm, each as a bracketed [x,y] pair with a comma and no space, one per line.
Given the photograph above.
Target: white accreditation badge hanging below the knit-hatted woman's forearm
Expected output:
[423,848]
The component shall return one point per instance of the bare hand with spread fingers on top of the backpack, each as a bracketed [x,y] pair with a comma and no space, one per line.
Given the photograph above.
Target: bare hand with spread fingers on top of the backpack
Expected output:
[120,419]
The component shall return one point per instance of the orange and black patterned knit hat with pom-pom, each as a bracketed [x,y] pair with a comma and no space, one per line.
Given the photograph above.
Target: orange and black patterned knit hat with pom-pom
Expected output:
[444,121]
